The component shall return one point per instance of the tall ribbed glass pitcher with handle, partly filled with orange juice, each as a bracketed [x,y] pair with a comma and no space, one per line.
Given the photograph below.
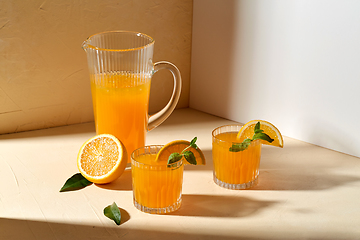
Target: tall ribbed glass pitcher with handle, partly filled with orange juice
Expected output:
[121,67]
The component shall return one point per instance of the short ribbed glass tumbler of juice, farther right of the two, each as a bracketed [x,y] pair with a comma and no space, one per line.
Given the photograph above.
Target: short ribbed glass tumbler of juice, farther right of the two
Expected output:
[234,170]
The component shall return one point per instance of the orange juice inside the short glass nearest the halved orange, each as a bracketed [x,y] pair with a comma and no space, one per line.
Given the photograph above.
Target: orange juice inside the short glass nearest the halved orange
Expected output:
[155,185]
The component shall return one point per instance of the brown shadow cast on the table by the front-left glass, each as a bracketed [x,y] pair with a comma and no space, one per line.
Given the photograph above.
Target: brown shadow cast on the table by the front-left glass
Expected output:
[220,206]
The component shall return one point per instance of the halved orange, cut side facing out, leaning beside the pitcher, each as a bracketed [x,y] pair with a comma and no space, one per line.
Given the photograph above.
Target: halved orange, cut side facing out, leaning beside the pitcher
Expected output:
[102,159]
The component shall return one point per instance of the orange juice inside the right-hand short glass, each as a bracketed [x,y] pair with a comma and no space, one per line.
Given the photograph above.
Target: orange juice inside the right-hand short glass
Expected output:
[235,167]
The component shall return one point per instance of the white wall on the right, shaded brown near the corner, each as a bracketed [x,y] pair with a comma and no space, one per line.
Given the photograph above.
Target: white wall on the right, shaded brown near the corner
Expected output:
[295,63]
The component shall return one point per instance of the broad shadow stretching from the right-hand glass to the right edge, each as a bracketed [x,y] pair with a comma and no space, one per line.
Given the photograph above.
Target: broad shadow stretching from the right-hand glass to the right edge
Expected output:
[303,170]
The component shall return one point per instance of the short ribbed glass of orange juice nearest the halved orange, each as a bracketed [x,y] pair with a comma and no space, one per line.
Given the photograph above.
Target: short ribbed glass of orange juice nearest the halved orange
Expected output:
[157,186]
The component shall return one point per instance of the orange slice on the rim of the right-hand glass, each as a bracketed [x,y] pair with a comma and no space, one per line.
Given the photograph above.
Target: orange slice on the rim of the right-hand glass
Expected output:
[247,131]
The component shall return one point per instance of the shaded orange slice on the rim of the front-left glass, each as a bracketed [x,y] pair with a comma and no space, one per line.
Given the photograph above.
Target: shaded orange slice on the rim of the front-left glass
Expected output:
[178,146]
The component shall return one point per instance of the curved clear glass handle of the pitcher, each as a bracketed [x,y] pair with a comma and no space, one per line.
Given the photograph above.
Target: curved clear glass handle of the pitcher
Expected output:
[157,118]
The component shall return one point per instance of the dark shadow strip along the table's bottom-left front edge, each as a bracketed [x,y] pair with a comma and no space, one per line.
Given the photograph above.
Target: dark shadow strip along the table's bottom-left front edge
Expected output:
[15,229]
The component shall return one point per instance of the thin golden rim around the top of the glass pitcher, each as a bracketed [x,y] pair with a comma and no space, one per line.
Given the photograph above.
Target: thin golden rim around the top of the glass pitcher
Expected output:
[86,42]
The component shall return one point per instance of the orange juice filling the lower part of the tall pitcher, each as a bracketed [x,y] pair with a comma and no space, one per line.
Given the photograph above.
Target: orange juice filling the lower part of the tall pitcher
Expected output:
[120,103]
